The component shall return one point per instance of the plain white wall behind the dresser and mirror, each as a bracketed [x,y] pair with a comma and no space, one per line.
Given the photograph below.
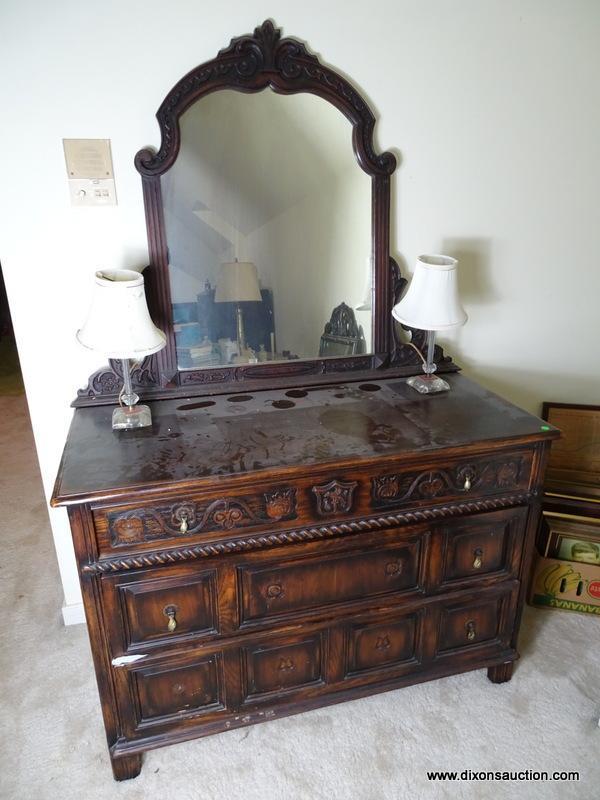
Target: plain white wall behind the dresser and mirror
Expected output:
[494,107]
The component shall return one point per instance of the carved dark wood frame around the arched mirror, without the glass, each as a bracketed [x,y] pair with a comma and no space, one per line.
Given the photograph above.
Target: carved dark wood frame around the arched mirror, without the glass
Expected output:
[253,63]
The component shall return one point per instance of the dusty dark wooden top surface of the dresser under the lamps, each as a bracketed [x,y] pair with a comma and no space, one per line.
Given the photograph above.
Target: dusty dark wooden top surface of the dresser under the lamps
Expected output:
[216,437]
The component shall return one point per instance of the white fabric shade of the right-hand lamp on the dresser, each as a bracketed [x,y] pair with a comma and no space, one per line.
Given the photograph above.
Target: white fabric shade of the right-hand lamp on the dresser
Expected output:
[432,302]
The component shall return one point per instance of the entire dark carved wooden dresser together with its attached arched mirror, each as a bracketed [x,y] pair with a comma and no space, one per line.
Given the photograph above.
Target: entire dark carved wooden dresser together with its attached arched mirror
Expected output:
[301,529]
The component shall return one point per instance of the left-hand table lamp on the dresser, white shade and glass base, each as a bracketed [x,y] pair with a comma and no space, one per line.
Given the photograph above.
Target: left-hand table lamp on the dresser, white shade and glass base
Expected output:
[119,326]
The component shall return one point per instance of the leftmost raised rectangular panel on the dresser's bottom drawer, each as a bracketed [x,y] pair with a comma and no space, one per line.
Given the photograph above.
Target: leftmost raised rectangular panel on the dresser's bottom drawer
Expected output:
[169,691]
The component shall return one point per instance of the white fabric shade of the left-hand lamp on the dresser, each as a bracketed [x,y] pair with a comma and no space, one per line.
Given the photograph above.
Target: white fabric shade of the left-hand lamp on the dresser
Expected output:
[118,324]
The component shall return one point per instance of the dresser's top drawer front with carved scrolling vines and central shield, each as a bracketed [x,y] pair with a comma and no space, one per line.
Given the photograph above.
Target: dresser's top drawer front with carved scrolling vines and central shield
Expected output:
[211,520]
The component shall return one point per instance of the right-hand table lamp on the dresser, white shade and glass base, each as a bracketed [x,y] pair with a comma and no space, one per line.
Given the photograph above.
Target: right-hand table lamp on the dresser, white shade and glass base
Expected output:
[431,304]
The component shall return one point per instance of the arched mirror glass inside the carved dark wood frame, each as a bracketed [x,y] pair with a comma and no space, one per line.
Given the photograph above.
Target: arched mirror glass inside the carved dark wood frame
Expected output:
[268,224]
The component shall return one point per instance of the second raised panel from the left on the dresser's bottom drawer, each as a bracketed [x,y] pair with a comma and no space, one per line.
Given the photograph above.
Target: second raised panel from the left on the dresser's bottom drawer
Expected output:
[282,666]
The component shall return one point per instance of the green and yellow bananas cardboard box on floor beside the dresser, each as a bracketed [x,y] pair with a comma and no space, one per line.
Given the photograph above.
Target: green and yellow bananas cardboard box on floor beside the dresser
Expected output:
[570,585]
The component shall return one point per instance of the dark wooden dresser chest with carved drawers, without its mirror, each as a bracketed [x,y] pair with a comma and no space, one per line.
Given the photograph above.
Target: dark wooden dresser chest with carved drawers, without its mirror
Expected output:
[258,555]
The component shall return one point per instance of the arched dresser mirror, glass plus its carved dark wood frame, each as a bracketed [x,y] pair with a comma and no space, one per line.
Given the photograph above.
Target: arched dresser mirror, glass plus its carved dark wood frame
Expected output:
[267,208]
